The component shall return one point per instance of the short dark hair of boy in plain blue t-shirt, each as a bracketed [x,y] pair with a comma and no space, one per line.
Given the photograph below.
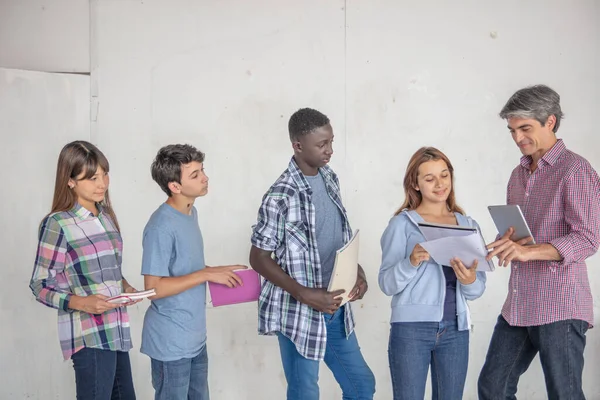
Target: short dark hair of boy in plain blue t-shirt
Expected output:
[166,167]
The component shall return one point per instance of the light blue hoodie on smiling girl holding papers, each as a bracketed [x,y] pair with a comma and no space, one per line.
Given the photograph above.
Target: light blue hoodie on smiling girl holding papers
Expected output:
[418,293]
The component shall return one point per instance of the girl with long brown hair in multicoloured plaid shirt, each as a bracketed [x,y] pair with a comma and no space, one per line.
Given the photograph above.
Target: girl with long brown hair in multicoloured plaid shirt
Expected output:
[78,267]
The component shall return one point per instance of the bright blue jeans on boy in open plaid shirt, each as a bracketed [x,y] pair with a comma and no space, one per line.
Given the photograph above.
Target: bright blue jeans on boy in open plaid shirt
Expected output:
[342,356]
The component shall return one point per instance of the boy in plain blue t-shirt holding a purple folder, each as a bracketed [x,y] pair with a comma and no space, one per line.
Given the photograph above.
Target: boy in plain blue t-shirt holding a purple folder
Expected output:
[174,333]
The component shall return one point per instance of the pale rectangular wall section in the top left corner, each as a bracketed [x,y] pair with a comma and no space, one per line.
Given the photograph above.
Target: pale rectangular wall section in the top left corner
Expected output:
[41,35]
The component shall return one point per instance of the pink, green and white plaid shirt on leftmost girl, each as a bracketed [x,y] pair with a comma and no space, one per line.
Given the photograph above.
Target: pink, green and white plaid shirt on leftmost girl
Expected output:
[80,254]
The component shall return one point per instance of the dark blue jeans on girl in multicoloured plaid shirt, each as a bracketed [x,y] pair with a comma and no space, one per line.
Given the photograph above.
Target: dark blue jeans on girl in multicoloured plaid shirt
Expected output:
[102,375]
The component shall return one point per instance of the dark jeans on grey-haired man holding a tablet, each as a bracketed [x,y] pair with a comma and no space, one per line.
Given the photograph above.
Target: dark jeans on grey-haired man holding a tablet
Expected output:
[513,348]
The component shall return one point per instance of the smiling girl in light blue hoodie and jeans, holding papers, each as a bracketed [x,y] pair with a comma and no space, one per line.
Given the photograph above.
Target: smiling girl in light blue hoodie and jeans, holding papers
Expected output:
[430,318]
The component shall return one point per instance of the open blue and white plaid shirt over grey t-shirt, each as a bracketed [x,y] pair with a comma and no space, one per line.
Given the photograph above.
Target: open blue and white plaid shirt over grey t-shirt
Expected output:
[286,226]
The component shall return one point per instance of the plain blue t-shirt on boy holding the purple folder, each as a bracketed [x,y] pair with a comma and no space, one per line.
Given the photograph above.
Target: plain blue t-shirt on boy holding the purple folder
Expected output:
[174,326]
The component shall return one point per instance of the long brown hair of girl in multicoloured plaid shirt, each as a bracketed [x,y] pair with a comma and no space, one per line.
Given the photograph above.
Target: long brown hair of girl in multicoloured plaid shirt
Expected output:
[75,158]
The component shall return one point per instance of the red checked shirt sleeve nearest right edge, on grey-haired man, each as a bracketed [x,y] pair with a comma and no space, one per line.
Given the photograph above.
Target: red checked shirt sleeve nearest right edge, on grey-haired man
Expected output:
[581,213]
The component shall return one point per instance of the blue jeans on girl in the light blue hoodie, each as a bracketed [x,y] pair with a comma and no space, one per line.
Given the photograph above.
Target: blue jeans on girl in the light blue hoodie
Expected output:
[415,346]
